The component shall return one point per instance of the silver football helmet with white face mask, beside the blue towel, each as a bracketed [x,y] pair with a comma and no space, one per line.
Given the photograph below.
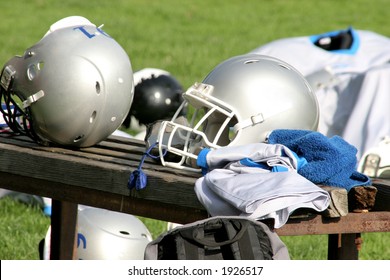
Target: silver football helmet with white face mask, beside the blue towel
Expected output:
[240,102]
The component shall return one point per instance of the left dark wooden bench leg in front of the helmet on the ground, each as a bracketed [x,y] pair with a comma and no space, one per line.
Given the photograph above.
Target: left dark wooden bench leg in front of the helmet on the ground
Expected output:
[63,230]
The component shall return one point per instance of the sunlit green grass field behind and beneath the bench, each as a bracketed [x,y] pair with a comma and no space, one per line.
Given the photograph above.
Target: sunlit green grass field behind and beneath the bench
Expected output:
[187,38]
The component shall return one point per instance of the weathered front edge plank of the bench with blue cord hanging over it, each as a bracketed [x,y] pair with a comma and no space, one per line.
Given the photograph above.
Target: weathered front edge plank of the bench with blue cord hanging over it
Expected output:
[102,175]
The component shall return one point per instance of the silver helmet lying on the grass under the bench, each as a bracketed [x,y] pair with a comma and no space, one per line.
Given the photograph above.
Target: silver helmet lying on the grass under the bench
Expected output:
[106,235]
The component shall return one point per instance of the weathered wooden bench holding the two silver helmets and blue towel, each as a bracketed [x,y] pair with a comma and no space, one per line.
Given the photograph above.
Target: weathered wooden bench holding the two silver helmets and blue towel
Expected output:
[97,176]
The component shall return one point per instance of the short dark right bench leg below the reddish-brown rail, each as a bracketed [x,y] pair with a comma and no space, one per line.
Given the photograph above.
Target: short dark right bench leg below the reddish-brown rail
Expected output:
[344,246]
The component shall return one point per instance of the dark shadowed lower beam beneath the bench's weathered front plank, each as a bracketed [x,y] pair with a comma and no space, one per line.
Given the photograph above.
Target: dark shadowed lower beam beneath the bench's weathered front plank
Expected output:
[136,204]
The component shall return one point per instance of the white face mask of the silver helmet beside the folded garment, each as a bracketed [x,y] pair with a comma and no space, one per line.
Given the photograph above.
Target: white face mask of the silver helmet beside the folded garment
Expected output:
[178,141]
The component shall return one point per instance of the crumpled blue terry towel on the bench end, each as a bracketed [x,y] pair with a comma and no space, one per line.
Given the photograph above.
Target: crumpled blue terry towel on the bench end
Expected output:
[330,161]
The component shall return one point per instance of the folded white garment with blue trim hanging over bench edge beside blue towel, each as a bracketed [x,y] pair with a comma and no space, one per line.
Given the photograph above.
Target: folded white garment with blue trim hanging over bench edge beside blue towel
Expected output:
[243,185]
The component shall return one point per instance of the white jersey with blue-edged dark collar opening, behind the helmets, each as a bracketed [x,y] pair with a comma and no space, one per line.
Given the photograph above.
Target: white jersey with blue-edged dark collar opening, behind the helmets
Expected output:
[350,73]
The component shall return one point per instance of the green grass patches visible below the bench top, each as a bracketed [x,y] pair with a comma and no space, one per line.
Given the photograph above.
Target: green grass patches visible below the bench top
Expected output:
[22,227]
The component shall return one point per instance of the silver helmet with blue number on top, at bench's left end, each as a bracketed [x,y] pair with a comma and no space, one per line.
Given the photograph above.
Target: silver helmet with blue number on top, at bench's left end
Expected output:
[74,87]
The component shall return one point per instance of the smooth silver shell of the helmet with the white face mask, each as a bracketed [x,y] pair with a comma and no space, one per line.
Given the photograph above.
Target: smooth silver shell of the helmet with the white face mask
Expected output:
[256,85]
